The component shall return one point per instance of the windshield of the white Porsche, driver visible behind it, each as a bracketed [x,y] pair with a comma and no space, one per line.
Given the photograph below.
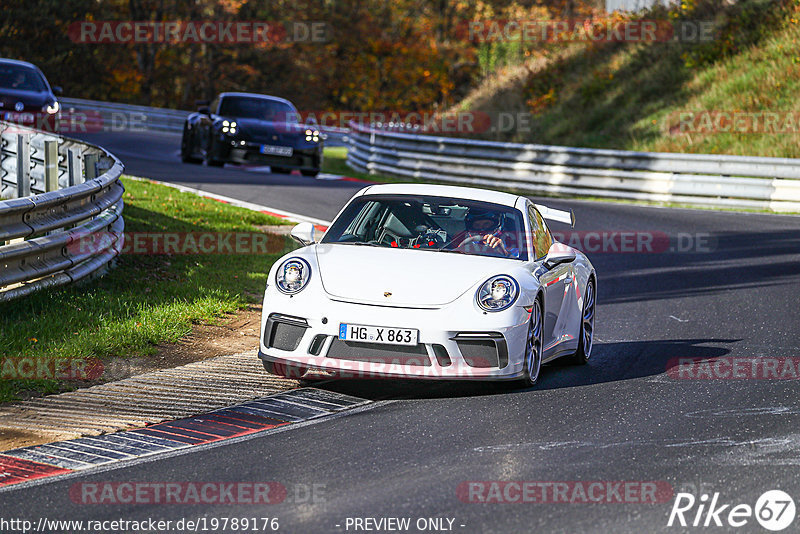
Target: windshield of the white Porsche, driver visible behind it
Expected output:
[431,223]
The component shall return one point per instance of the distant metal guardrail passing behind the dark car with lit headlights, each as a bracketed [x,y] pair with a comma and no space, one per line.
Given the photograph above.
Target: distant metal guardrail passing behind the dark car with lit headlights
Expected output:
[105,116]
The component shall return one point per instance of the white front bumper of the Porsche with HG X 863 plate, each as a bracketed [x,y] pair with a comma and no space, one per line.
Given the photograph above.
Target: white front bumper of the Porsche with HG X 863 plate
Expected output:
[455,341]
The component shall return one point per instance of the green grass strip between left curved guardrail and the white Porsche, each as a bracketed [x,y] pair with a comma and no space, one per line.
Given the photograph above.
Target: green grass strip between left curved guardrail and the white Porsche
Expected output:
[146,300]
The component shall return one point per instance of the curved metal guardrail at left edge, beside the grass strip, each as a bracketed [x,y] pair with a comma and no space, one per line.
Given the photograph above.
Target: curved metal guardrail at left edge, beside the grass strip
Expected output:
[57,192]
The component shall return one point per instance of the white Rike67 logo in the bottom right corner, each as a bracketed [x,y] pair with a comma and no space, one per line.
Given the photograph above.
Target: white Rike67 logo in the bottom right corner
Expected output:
[774,510]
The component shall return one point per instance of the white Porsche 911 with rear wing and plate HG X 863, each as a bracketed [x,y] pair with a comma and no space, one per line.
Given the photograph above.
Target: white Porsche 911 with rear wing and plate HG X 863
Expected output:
[429,281]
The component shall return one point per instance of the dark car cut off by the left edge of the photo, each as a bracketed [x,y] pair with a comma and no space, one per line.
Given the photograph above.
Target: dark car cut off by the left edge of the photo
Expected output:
[25,95]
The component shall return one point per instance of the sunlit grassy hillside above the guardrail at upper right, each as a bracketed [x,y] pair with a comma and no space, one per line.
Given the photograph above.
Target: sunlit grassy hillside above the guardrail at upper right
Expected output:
[715,96]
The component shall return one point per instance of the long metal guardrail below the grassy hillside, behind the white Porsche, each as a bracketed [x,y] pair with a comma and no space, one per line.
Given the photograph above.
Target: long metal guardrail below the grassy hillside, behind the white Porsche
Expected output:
[694,179]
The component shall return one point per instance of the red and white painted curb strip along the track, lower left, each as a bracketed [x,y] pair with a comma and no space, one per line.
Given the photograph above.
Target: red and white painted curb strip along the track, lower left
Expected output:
[41,461]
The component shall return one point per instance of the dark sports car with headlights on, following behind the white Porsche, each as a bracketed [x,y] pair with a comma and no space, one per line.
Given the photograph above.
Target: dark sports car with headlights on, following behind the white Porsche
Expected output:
[251,128]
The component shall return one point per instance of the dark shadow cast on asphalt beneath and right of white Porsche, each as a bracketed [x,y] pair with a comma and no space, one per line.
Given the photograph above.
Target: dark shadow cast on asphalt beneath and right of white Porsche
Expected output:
[610,362]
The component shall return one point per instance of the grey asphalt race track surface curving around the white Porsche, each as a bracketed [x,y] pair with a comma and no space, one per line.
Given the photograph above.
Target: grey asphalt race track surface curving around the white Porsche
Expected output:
[622,417]
